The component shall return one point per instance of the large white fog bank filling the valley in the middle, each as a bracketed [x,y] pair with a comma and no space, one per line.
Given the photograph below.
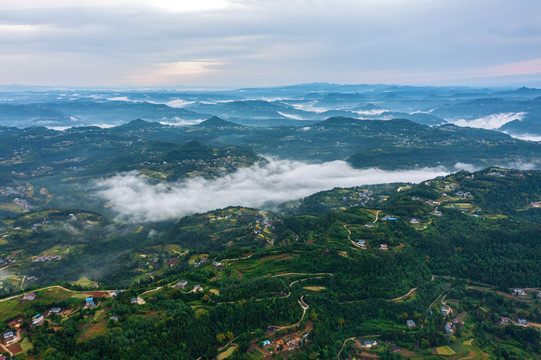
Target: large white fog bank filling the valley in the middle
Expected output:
[135,198]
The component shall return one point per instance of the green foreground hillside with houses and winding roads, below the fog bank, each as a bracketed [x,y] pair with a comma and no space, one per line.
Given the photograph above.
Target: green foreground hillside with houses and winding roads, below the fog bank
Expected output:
[450,250]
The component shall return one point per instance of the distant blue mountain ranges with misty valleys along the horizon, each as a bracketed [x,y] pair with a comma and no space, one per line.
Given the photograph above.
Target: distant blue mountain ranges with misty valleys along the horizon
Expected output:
[279,106]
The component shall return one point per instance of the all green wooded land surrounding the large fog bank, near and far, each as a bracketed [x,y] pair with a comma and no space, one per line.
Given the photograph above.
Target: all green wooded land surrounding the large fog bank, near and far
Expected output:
[343,264]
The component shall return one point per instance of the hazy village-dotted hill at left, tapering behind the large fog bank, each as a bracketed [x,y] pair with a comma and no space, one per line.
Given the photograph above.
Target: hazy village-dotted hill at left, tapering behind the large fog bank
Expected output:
[39,154]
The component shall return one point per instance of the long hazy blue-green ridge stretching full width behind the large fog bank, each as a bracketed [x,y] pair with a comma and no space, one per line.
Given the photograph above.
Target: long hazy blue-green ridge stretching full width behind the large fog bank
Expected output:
[392,144]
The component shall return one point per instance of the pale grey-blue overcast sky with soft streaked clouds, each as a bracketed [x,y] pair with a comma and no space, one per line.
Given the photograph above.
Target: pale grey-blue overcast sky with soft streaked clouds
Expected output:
[235,43]
